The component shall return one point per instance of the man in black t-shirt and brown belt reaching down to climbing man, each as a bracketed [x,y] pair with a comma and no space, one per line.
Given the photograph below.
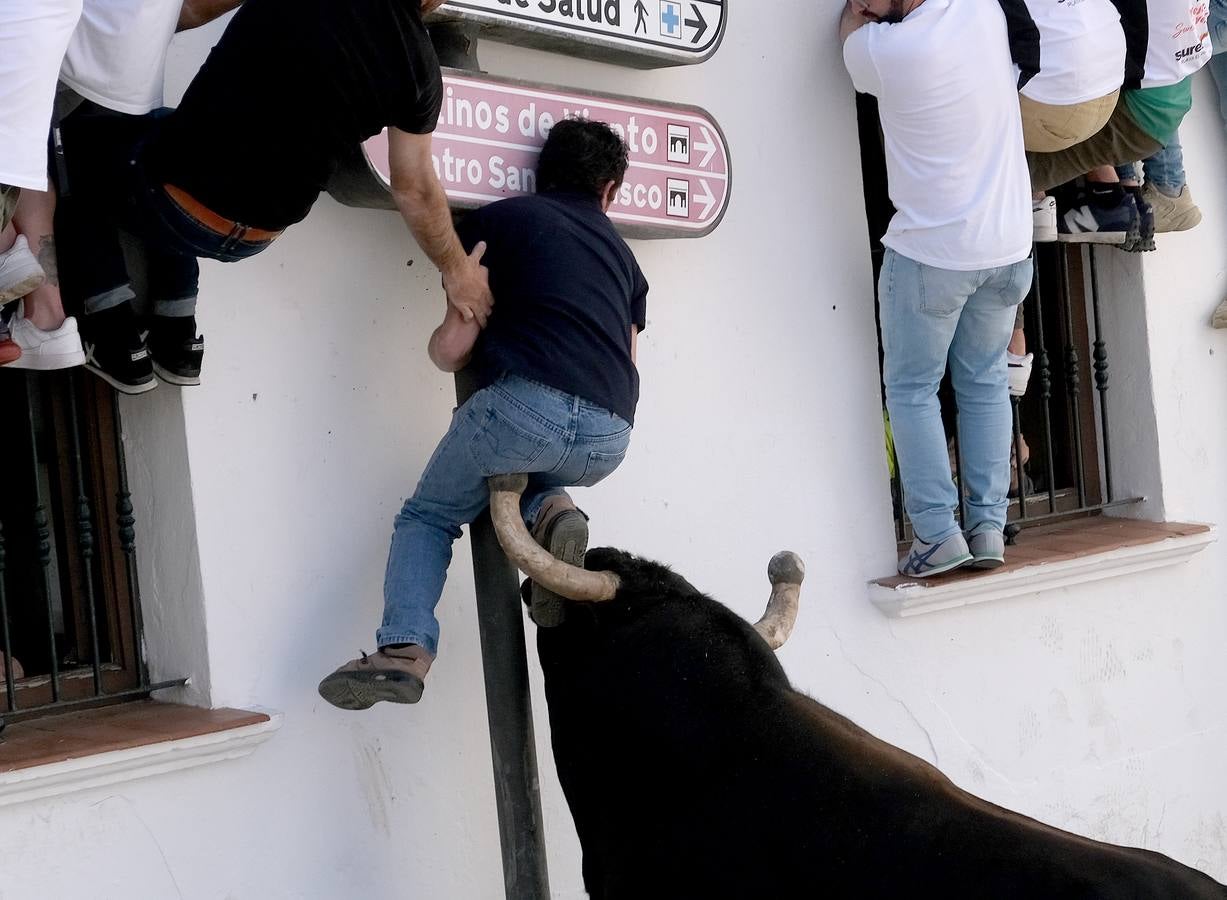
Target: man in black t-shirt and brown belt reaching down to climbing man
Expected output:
[290,88]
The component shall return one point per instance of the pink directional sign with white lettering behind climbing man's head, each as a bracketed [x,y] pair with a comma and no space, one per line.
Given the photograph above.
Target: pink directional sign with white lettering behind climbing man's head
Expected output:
[491,131]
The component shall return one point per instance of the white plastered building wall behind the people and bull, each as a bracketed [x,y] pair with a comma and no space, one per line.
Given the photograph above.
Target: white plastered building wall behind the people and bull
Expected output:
[1099,710]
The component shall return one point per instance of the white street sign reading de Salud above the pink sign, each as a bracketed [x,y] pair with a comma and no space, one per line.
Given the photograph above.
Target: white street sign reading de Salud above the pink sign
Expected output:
[645,34]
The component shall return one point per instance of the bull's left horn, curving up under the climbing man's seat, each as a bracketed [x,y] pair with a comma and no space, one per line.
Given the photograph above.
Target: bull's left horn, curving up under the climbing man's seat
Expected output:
[534,561]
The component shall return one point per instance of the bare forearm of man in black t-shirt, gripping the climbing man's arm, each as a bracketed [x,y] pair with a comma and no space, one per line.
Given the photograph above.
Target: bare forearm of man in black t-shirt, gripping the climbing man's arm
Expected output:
[424,206]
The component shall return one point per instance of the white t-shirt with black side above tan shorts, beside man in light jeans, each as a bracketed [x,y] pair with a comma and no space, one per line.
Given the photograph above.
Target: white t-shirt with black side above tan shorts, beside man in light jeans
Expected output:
[1082,51]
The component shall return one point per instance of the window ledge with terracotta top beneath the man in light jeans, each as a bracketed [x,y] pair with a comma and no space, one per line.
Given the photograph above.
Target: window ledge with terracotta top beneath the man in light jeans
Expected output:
[1048,559]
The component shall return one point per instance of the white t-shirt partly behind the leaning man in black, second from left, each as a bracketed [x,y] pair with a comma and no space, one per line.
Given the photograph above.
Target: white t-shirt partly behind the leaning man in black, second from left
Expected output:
[117,57]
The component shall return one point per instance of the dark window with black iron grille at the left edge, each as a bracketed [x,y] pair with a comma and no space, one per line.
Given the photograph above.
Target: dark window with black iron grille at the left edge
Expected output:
[71,606]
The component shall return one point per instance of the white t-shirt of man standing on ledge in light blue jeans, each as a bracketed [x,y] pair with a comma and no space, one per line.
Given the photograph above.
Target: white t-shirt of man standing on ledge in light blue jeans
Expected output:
[949,105]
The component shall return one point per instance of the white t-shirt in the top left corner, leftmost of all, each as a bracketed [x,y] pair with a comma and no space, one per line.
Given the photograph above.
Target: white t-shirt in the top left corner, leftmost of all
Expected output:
[33,41]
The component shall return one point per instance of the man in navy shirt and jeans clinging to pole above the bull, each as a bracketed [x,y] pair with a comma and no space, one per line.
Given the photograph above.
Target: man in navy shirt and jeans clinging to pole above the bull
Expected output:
[559,392]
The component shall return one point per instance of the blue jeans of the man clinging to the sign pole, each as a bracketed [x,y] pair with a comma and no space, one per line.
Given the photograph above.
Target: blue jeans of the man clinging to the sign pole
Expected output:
[515,425]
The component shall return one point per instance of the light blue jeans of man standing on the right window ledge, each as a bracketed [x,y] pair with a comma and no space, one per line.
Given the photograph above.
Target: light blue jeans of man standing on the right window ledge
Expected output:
[932,317]
